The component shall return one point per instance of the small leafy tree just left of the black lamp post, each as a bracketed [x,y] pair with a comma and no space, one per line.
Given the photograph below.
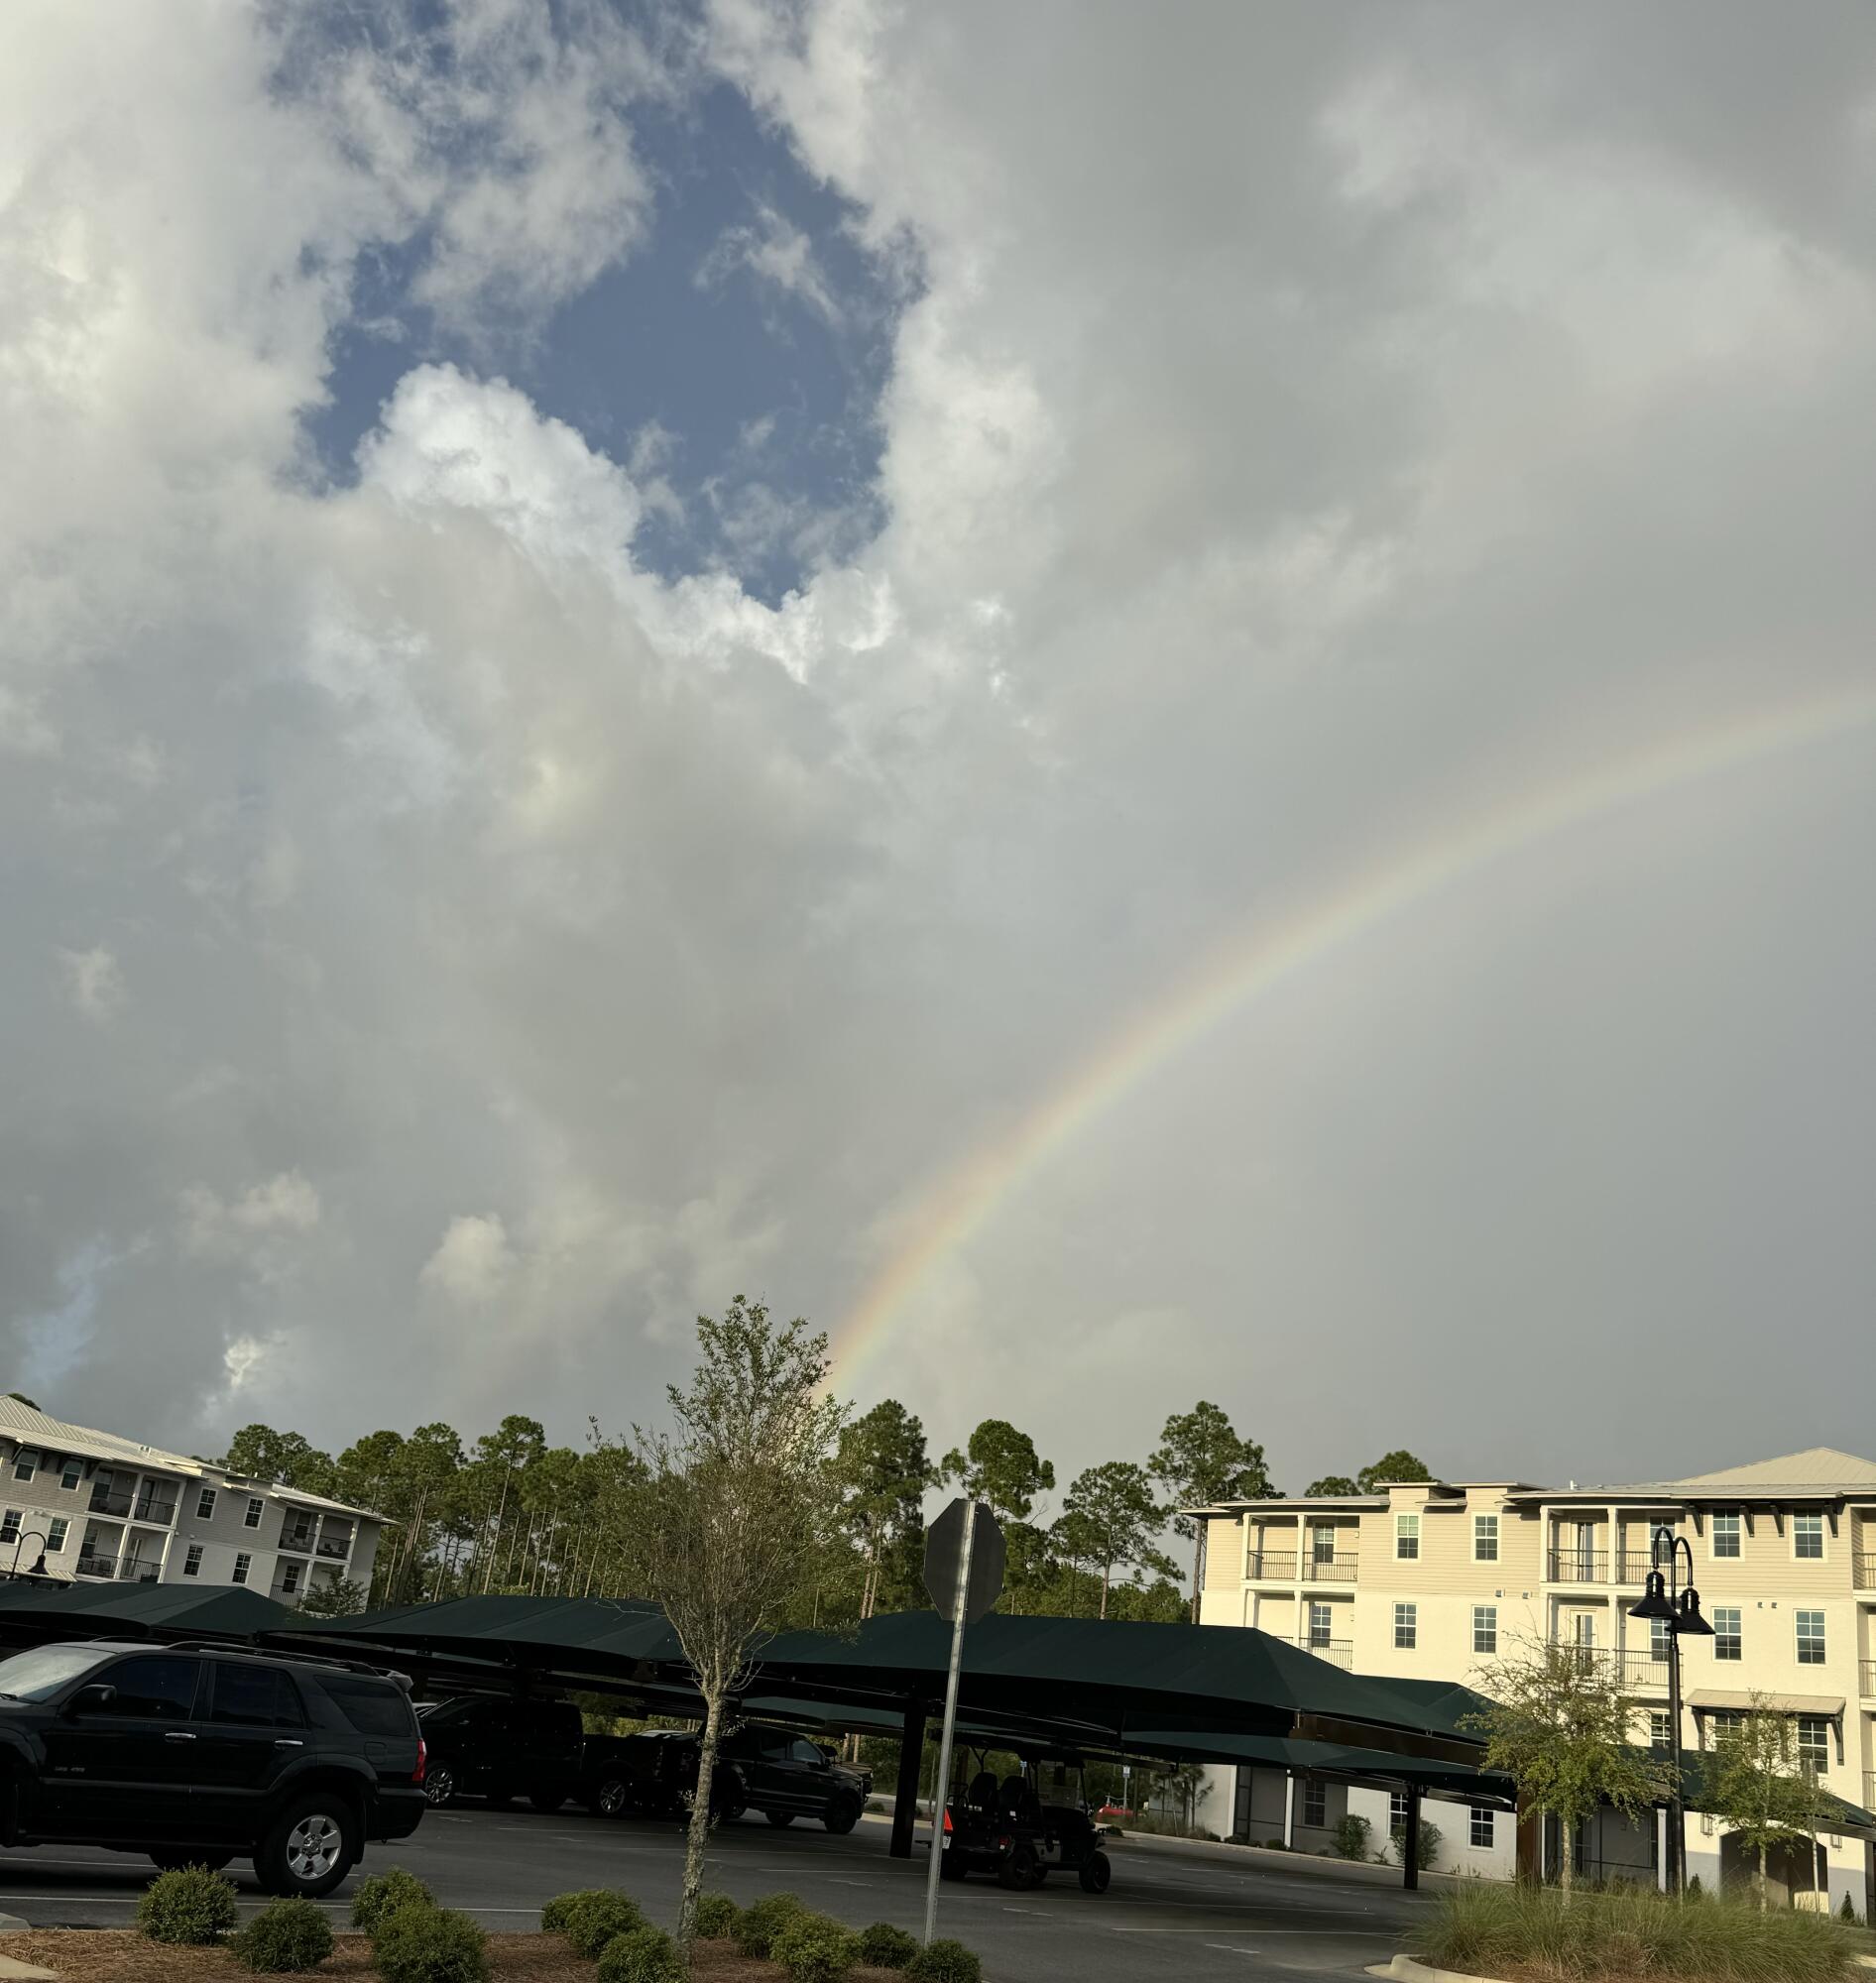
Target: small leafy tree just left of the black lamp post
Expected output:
[1558,1728]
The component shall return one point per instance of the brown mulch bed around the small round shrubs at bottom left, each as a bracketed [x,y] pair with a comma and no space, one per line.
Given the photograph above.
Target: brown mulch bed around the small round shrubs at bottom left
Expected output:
[122,1956]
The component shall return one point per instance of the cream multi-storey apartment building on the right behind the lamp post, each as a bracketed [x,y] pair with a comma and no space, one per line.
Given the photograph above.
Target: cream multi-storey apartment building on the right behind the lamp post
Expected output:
[1437,1581]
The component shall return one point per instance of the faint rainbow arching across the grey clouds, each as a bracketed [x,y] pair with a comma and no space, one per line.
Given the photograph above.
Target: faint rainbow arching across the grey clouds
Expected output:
[965,1201]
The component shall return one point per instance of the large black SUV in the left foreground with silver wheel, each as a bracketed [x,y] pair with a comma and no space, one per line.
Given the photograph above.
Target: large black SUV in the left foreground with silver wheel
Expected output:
[199,1754]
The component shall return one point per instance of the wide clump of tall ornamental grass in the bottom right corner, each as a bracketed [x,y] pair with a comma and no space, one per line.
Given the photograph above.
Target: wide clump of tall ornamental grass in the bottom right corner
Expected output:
[1633,1932]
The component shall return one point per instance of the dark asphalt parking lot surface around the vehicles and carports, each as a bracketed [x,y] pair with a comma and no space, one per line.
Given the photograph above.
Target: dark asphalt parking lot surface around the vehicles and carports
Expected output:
[1211,1917]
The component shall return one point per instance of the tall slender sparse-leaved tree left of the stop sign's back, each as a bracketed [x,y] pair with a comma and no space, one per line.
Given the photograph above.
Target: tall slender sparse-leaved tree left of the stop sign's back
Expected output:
[733,1510]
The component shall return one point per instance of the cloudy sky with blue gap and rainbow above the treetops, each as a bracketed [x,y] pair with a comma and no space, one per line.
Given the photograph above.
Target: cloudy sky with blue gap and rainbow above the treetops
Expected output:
[1137,705]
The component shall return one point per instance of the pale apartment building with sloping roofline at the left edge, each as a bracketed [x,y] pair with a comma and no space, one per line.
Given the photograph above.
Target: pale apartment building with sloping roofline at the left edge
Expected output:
[102,1508]
